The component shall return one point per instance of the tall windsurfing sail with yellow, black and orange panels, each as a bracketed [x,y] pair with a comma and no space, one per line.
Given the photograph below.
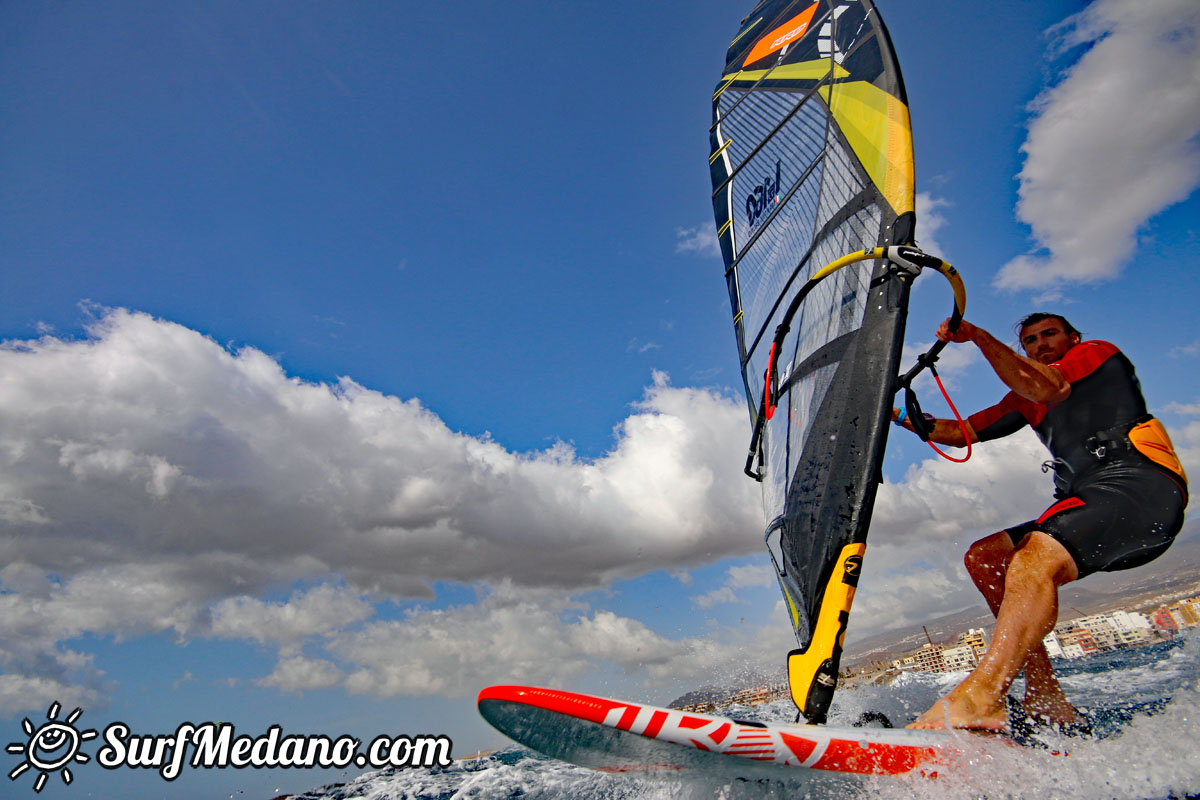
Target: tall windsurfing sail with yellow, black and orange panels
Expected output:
[813,171]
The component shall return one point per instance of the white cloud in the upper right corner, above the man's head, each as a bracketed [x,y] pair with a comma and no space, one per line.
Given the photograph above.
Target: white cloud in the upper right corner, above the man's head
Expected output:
[1113,145]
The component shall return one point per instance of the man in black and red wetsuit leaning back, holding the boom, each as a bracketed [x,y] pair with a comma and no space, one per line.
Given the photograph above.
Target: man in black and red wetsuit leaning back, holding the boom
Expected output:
[1120,491]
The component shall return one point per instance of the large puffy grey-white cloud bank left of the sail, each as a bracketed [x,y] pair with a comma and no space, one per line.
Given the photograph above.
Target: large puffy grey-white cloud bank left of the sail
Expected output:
[154,483]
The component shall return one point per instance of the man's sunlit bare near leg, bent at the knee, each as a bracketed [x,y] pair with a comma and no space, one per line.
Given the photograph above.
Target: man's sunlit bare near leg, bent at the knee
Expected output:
[1028,612]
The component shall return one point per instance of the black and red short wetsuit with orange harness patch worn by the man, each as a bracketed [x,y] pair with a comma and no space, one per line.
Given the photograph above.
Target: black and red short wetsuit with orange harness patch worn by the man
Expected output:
[1120,488]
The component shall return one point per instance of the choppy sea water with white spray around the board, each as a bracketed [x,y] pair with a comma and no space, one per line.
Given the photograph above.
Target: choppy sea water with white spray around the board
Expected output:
[1148,702]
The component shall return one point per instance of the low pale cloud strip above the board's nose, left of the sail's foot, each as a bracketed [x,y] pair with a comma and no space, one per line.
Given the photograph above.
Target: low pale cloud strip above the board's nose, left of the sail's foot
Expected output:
[511,637]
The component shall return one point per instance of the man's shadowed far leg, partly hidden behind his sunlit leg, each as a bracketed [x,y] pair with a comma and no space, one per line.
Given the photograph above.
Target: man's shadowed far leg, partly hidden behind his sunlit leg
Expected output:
[987,563]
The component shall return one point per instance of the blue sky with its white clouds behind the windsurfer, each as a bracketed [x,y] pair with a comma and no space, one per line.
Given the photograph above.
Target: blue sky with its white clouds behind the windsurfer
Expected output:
[359,357]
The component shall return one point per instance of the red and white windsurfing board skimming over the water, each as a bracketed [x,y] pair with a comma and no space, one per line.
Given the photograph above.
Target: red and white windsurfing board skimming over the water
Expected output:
[623,737]
